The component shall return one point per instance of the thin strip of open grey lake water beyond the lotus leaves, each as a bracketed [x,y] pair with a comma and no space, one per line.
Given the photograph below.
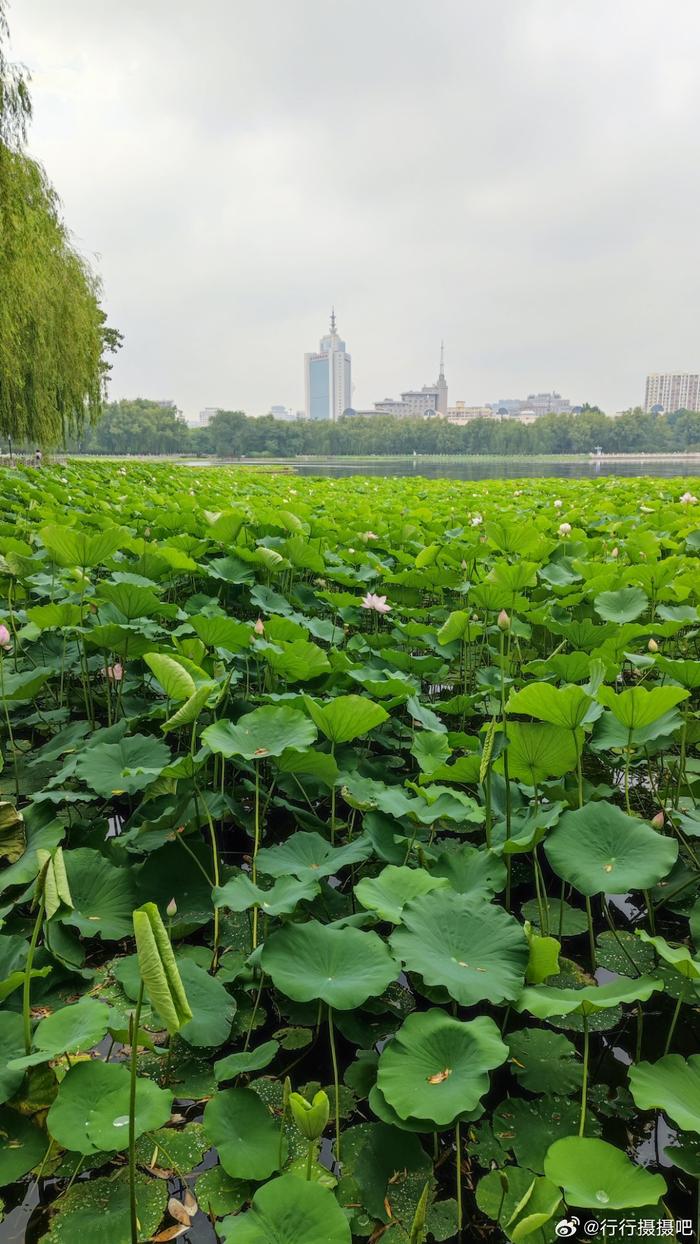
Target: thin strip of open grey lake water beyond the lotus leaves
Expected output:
[477,468]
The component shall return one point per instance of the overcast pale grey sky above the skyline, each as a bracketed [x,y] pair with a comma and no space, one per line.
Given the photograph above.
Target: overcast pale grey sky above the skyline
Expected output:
[519,177]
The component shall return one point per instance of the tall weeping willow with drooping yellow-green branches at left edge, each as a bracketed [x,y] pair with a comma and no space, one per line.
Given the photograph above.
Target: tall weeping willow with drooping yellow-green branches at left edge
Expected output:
[54,339]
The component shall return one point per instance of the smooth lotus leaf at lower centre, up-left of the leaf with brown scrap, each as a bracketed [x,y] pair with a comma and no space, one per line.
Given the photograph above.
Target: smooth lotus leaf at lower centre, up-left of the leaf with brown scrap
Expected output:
[343,967]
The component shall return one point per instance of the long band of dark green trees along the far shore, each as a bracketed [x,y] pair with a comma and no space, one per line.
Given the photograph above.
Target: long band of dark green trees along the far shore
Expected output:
[145,427]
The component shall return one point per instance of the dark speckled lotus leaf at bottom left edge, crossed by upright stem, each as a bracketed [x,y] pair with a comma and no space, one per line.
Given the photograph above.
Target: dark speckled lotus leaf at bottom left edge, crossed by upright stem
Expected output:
[99,1211]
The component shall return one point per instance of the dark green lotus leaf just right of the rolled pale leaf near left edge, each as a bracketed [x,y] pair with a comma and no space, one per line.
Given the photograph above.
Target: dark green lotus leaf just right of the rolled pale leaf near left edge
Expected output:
[104,896]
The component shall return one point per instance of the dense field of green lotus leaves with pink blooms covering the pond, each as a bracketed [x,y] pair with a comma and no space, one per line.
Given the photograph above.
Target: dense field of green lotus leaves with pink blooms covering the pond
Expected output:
[350,884]
